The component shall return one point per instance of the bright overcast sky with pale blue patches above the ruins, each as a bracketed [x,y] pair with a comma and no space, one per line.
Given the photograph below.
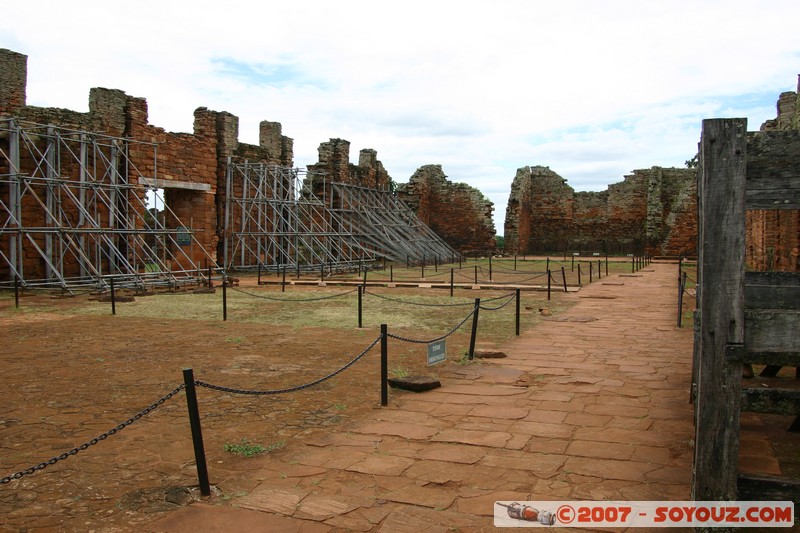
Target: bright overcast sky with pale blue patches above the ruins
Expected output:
[592,89]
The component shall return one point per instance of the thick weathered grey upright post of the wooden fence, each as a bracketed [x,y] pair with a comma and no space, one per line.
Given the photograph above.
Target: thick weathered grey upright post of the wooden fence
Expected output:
[721,259]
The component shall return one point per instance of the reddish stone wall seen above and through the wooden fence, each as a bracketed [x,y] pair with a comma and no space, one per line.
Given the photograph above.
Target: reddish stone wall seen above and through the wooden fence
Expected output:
[773,237]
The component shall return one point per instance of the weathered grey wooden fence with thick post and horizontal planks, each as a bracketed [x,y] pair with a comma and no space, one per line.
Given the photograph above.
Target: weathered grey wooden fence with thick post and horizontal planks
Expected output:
[741,317]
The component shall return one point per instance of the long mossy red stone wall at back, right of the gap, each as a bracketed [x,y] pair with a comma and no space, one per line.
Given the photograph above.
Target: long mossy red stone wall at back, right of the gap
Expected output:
[646,211]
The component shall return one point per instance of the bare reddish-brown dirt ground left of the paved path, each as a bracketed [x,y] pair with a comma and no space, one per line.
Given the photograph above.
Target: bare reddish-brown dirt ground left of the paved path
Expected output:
[71,376]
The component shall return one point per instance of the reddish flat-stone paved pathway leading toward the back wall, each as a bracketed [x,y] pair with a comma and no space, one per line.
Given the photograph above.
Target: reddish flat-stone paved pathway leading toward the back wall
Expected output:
[590,405]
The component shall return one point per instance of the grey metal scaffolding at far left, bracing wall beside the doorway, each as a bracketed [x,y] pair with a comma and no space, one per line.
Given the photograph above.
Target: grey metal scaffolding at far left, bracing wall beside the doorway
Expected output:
[74,213]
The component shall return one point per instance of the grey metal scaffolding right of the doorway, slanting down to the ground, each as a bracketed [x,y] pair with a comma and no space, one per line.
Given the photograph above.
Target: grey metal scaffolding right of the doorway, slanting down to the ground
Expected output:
[285,218]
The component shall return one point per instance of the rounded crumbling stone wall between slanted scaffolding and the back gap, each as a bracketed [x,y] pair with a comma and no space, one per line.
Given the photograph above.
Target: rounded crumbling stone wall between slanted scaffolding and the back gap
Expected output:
[458,213]
